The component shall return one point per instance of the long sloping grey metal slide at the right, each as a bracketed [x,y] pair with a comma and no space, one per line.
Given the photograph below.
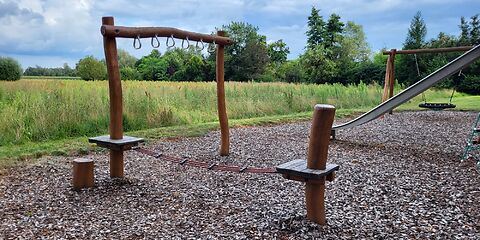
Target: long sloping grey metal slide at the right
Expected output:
[417,88]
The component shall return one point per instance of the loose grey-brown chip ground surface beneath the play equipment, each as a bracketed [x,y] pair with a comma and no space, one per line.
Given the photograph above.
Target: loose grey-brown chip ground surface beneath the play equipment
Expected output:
[400,177]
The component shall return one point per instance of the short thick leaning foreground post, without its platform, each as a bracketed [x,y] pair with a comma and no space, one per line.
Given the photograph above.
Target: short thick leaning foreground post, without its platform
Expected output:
[323,116]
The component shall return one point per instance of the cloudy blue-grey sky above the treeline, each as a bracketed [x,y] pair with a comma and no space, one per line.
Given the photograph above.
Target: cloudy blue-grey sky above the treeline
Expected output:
[52,32]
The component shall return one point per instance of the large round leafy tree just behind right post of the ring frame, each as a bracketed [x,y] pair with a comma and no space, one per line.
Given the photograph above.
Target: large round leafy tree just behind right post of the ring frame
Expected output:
[247,58]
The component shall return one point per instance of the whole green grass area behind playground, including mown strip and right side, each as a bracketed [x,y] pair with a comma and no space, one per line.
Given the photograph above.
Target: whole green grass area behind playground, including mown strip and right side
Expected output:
[40,116]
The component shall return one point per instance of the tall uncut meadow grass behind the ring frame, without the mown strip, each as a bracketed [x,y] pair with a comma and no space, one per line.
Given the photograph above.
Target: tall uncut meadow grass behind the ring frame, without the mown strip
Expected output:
[36,110]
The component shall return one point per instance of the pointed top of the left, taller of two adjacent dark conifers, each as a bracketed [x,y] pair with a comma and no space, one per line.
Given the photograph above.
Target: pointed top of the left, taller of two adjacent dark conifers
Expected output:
[316,28]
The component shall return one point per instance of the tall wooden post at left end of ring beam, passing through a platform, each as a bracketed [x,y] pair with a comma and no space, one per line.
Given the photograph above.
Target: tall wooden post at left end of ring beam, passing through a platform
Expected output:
[116,108]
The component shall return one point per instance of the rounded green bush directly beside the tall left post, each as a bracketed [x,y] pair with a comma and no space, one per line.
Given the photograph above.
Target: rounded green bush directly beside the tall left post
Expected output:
[89,68]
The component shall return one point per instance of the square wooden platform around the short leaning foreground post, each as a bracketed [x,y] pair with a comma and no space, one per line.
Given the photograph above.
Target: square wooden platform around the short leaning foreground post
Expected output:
[298,168]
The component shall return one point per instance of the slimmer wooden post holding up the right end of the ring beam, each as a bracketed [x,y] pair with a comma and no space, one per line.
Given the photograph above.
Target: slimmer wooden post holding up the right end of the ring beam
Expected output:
[222,110]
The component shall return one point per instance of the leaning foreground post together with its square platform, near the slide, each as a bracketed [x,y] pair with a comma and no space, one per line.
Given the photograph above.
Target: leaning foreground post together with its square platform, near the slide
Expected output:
[315,170]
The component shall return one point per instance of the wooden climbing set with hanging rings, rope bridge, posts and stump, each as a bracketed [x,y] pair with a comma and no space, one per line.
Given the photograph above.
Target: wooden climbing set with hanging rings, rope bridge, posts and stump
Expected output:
[314,171]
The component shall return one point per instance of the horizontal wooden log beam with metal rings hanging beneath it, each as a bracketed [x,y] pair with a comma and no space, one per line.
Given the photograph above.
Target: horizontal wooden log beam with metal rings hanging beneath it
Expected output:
[147,32]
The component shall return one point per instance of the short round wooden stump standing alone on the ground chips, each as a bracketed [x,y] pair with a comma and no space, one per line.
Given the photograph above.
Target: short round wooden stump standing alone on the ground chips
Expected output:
[83,173]
